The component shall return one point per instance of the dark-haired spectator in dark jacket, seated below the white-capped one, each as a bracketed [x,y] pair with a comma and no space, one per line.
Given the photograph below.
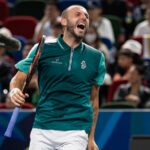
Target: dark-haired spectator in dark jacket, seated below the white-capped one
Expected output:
[134,91]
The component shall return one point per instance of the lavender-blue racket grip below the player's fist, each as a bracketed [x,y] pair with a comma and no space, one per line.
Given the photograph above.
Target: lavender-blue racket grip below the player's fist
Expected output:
[12,122]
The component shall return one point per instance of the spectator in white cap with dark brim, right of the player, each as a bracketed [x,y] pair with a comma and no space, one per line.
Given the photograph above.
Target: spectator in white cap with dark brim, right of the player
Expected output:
[129,55]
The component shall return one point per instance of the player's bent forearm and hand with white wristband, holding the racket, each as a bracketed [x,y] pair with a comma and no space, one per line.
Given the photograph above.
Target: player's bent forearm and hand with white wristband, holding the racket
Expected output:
[16,85]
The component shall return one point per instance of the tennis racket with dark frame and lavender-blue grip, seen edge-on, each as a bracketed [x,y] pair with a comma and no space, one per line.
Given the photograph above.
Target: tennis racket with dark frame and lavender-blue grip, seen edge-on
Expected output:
[16,111]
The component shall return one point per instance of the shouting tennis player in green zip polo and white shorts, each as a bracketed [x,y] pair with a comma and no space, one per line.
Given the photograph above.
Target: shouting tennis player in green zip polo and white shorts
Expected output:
[70,73]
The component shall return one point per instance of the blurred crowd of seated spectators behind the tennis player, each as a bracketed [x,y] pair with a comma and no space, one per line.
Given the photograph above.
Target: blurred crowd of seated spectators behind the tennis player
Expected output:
[118,28]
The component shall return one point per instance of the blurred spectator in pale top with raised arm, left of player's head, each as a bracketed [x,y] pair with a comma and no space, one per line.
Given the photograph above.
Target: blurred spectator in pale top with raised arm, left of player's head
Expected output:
[51,14]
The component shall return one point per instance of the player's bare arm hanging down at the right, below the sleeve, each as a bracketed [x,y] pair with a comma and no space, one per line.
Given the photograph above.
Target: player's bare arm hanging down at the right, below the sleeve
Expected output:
[95,103]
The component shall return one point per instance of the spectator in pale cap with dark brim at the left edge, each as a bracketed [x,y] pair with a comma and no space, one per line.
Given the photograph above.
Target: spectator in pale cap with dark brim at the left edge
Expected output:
[7,43]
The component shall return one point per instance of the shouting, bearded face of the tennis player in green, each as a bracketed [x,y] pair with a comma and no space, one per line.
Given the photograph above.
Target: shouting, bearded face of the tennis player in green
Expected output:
[77,22]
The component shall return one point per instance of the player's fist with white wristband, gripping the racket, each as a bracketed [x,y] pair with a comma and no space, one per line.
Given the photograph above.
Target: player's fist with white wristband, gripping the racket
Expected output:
[17,97]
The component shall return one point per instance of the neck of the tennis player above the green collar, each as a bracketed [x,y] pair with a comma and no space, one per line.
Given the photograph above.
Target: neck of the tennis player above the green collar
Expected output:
[71,40]
